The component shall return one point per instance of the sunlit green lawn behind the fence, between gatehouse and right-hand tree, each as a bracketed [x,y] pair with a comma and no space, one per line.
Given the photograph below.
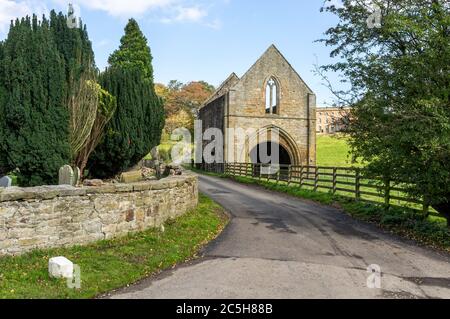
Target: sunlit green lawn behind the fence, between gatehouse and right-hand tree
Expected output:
[333,150]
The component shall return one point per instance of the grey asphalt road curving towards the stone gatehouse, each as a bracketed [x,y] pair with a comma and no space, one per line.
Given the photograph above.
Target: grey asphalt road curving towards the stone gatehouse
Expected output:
[277,246]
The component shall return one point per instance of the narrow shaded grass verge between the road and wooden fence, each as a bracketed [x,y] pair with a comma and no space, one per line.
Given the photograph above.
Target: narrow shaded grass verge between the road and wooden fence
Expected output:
[432,231]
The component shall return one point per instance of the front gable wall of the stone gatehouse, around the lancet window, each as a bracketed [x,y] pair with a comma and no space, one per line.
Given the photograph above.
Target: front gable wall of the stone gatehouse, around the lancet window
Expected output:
[296,114]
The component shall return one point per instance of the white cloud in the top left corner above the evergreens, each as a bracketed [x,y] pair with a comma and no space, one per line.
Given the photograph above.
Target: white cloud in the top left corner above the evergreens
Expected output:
[10,10]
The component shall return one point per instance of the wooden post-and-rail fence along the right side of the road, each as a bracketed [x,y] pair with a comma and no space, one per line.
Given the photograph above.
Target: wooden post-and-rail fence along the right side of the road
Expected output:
[344,181]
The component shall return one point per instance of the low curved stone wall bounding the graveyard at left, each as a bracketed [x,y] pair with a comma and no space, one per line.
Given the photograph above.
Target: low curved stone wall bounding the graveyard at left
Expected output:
[55,216]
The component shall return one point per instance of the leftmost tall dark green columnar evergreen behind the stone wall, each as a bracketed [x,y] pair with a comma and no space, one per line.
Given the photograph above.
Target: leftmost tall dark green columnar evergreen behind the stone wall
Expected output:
[35,129]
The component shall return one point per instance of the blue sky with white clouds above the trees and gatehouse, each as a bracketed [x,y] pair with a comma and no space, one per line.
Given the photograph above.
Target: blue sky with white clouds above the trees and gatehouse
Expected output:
[193,40]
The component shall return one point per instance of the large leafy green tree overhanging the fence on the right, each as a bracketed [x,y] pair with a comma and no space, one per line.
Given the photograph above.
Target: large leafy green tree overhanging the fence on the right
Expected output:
[399,78]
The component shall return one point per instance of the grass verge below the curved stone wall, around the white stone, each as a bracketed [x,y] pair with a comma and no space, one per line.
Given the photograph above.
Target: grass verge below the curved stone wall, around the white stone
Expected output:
[112,264]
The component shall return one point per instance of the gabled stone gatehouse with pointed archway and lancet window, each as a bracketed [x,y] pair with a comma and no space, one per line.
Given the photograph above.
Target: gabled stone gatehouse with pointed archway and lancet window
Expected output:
[269,97]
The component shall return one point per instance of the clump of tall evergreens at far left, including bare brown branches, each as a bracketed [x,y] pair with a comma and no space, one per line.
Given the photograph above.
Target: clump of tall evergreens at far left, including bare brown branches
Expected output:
[49,99]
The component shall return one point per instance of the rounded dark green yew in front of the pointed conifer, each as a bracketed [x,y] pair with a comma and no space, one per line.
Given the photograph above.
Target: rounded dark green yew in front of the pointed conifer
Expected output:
[136,126]
